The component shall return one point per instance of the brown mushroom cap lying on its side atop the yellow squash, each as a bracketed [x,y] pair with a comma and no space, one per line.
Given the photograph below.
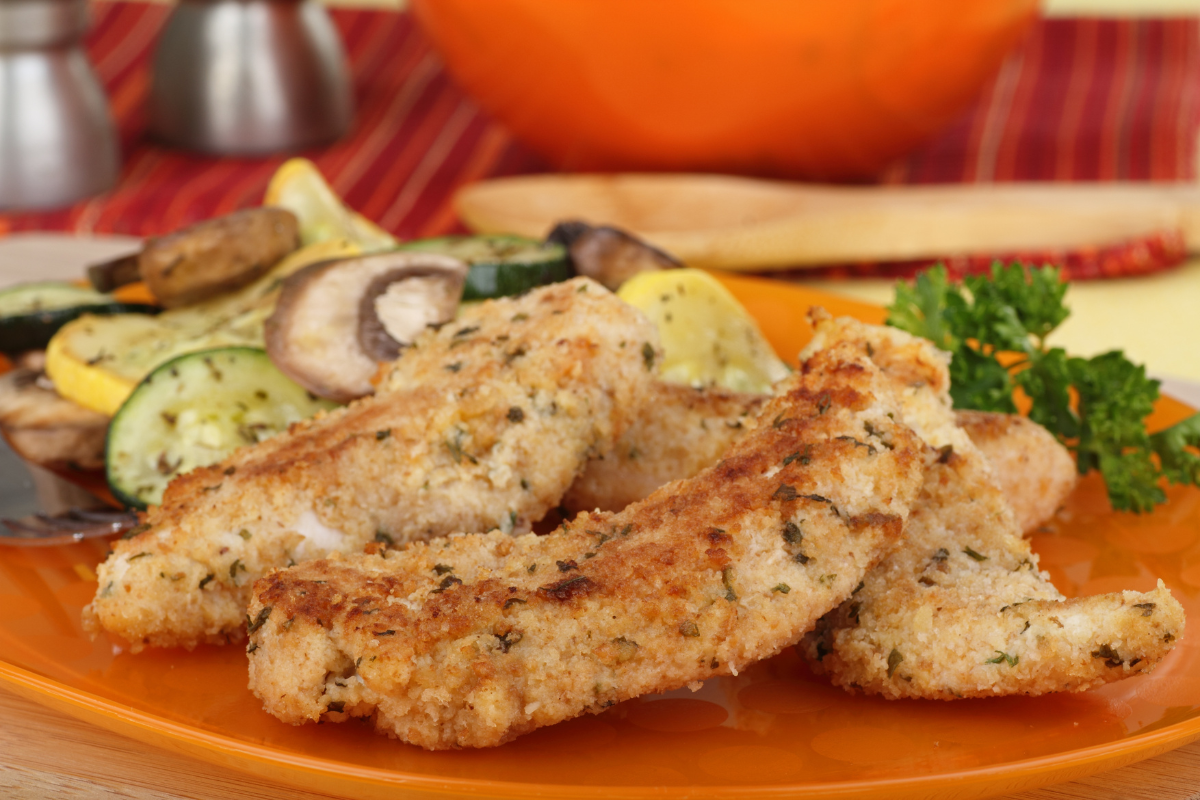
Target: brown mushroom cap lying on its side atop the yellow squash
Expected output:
[217,256]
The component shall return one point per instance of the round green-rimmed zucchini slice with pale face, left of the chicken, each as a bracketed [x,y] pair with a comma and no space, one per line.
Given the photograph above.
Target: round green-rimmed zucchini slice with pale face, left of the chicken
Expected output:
[195,411]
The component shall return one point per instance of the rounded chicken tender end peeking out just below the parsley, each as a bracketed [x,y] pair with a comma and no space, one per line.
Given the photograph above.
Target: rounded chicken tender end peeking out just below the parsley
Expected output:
[1031,468]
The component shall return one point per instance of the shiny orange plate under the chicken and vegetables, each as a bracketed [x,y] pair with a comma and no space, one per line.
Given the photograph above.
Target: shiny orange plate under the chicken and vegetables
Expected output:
[775,731]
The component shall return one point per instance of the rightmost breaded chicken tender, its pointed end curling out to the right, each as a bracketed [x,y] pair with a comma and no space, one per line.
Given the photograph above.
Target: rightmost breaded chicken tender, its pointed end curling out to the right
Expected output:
[961,610]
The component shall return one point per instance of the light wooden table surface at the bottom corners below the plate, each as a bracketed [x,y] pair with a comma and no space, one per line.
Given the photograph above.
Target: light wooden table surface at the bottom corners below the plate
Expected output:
[47,755]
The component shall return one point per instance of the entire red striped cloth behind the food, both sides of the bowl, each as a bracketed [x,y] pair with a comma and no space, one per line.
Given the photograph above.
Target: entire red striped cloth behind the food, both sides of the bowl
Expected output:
[1082,100]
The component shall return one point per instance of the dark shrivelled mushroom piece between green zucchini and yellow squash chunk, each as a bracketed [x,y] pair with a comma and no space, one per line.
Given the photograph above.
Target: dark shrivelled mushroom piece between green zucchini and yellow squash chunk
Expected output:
[608,255]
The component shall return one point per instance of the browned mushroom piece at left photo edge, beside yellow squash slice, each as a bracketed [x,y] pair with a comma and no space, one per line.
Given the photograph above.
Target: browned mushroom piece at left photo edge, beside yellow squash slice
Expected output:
[46,429]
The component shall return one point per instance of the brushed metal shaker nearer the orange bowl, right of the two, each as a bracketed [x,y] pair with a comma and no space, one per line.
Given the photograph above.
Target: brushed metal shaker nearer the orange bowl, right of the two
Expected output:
[250,77]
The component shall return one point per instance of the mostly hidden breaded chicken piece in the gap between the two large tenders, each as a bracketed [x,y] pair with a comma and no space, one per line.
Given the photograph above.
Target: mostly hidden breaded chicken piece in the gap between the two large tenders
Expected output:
[677,432]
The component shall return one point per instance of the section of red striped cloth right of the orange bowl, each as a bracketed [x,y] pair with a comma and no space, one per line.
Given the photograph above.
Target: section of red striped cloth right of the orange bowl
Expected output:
[1082,100]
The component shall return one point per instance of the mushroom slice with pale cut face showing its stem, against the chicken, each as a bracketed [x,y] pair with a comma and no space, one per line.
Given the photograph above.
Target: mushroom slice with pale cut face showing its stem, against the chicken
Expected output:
[337,321]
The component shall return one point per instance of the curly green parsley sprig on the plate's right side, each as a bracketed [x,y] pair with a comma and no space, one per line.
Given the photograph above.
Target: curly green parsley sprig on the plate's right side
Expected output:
[1097,407]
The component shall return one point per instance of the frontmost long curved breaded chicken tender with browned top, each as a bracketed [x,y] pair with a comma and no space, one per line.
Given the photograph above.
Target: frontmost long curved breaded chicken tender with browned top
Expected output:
[475,640]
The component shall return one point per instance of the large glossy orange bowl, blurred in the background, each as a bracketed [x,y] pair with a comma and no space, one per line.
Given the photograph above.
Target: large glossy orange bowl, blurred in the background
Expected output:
[788,88]
